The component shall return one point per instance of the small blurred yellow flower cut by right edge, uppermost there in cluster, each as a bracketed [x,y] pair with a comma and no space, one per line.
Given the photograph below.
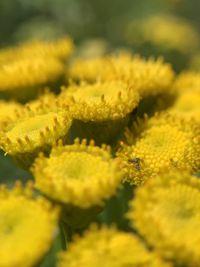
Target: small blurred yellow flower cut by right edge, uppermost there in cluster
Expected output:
[187,81]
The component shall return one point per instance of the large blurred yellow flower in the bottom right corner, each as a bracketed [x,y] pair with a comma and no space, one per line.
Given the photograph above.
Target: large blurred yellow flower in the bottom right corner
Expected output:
[166,212]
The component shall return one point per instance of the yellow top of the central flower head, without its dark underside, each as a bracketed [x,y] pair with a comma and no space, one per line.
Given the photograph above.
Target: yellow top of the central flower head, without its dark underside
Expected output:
[100,101]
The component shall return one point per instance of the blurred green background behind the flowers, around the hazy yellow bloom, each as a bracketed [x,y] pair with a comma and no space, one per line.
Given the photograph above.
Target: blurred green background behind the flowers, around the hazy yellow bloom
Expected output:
[107,23]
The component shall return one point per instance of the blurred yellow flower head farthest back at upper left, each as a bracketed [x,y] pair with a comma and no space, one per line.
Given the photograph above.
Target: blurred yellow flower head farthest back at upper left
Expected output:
[60,48]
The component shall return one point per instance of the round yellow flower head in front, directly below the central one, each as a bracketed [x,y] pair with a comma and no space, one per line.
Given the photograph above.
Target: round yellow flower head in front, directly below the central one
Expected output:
[80,175]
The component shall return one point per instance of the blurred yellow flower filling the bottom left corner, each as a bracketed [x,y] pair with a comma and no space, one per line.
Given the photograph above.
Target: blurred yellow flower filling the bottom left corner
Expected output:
[27,226]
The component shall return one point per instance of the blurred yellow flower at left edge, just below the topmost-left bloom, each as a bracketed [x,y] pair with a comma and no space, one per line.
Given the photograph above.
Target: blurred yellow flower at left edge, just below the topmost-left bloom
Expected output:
[23,77]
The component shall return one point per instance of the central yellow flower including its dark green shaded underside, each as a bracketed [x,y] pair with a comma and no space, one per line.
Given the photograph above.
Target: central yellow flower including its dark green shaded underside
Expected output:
[100,110]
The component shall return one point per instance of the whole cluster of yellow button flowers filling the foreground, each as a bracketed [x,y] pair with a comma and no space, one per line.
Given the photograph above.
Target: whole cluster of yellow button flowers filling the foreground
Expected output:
[84,127]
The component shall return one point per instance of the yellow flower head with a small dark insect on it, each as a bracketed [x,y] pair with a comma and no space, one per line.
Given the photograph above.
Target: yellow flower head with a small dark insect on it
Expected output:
[163,143]
